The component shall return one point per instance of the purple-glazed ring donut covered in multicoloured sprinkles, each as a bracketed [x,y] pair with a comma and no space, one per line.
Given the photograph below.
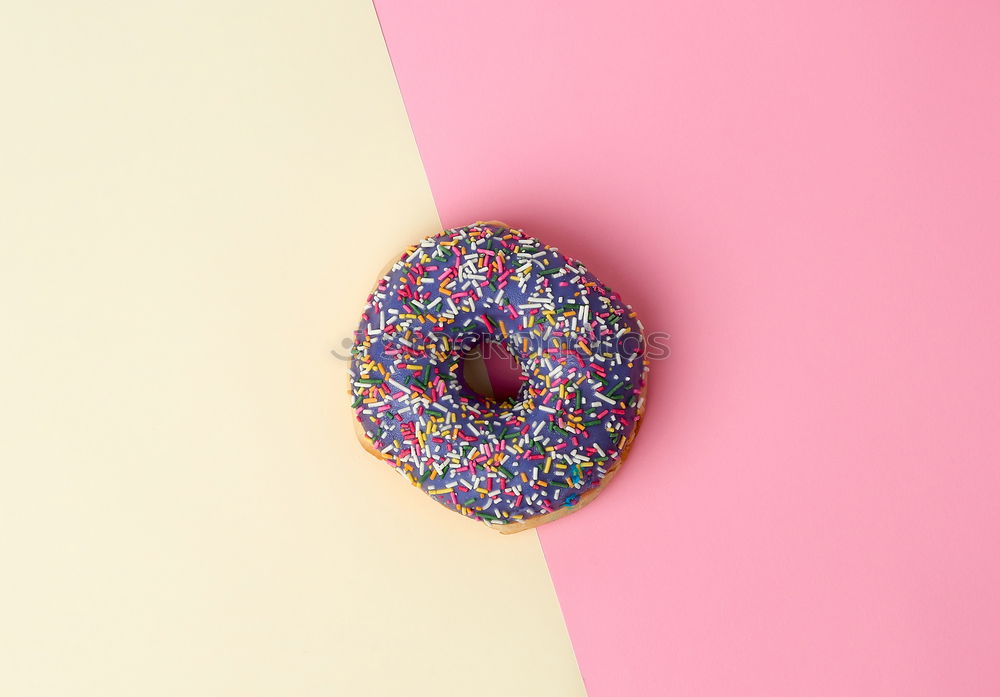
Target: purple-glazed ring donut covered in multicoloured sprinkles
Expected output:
[510,463]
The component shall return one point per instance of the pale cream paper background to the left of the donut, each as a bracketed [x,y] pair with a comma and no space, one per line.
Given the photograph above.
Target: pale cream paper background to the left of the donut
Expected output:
[195,199]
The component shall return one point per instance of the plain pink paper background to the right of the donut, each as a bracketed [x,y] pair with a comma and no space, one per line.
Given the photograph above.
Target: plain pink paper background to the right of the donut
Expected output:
[806,197]
